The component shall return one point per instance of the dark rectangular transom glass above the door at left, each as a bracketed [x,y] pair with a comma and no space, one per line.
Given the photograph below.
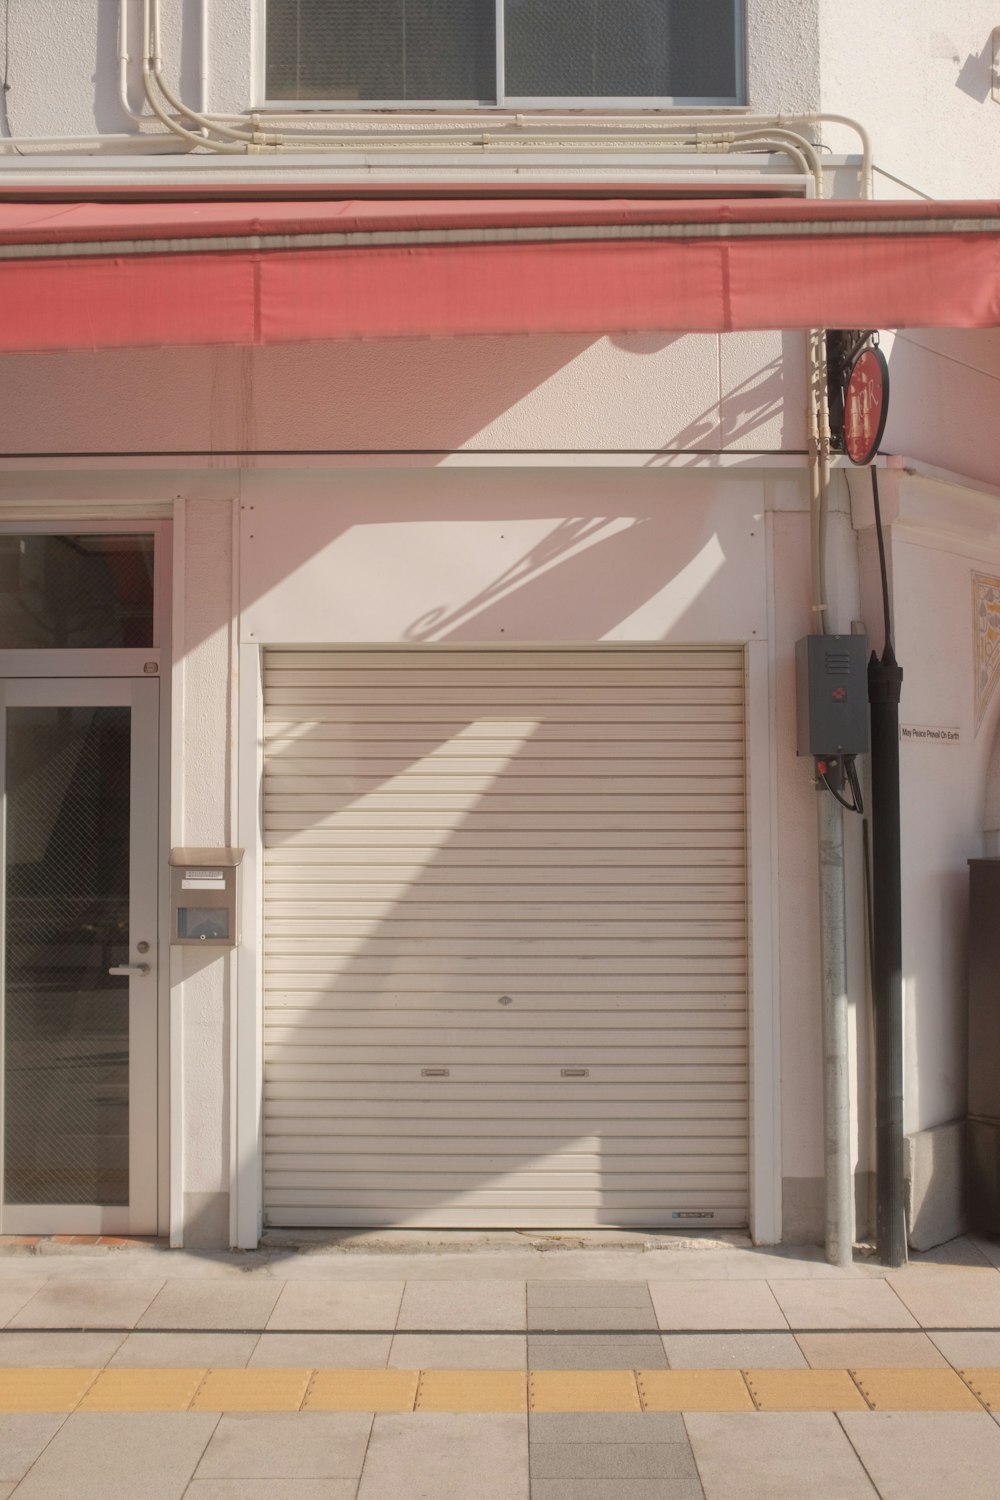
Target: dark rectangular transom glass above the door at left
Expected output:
[73,592]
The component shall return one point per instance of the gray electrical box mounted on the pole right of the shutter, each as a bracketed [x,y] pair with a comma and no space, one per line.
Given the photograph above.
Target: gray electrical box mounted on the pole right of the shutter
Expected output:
[833,695]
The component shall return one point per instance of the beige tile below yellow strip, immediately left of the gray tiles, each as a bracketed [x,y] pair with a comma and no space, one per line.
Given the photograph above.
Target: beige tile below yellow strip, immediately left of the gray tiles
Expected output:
[448,1457]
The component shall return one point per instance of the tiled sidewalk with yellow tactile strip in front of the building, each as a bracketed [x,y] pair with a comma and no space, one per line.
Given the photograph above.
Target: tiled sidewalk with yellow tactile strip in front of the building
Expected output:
[512,1375]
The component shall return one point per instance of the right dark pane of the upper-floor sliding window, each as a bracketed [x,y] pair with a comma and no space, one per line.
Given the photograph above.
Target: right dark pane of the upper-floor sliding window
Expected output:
[621,49]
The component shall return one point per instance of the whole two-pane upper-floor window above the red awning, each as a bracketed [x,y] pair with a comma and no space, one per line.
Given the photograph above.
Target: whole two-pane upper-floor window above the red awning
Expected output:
[469,53]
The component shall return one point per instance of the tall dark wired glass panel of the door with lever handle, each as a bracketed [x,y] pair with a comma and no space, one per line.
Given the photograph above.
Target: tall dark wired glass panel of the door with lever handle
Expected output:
[67,1021]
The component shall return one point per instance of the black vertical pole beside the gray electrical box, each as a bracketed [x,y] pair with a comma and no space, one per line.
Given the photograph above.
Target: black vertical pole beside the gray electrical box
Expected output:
[885,683]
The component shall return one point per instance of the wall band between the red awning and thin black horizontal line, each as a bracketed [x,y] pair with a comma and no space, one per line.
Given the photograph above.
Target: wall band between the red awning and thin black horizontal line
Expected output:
[645,392]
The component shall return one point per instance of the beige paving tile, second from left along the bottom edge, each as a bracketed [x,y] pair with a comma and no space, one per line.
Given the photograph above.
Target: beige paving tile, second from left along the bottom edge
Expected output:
[98,1454]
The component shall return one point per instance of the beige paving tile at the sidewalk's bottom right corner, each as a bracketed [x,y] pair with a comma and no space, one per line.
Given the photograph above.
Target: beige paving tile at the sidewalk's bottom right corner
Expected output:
[927,1456]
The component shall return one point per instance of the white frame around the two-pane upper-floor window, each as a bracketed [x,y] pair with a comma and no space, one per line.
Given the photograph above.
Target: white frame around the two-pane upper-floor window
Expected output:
[504,101]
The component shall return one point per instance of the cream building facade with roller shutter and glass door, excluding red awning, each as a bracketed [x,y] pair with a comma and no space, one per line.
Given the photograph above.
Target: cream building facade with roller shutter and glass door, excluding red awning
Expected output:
[481,649]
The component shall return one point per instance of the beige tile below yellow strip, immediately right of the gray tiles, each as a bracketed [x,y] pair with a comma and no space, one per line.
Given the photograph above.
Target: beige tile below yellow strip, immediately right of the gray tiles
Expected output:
[777,1457]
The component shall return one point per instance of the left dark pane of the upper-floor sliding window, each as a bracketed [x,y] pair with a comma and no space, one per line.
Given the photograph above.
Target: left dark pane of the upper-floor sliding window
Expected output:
[371,50]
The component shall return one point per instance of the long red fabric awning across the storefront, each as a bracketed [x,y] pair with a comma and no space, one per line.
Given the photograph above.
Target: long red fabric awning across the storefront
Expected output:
[112,275]
